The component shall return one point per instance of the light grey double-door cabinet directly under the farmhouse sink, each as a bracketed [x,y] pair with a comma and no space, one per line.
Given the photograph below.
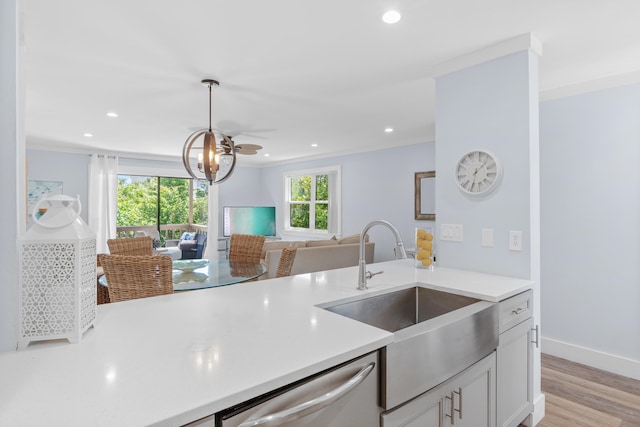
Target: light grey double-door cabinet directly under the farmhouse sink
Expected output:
[467,399]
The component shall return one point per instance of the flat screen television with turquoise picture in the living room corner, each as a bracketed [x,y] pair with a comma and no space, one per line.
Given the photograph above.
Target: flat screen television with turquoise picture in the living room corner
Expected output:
[259,220]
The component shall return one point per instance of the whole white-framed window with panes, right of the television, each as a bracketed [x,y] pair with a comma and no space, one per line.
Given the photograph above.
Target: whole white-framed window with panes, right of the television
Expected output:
[312,201]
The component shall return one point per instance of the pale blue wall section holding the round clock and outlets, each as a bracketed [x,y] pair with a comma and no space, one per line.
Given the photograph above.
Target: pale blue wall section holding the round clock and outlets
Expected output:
[487,106]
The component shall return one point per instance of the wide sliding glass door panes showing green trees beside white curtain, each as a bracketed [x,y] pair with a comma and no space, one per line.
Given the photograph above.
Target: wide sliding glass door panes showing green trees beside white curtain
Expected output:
[161,201]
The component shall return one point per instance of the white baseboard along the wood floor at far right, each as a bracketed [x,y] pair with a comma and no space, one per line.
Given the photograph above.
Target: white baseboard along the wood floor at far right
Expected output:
[596,359]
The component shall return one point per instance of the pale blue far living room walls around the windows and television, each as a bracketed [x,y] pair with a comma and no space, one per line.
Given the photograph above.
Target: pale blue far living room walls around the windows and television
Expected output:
[375,185]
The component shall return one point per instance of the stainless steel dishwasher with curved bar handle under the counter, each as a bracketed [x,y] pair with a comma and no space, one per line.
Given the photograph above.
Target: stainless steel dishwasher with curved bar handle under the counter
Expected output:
[346,395]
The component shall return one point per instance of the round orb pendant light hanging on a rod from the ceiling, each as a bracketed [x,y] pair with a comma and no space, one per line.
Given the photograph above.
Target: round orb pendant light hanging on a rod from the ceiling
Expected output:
[213,160]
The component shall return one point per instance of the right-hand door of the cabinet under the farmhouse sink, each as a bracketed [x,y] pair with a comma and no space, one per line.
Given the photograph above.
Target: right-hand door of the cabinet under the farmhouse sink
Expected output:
[473,396]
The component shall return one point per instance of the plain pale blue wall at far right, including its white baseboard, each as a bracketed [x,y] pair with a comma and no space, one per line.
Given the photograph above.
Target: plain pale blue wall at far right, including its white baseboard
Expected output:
[590,149]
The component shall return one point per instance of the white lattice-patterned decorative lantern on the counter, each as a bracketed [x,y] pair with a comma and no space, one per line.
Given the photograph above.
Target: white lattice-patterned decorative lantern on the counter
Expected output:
[58,274]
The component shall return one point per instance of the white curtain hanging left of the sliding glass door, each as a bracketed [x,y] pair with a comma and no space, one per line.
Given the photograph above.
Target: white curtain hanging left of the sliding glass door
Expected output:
[103,184]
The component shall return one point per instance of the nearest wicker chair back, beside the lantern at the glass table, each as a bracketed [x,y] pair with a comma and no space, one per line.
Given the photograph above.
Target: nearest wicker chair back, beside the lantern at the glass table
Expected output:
[131,277]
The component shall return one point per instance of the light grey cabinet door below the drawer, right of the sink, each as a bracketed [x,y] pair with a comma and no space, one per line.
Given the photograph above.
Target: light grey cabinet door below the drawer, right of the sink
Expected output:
[515,375]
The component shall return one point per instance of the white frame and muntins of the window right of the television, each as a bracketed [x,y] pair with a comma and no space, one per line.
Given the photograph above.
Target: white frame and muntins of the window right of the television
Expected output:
[334,222]
